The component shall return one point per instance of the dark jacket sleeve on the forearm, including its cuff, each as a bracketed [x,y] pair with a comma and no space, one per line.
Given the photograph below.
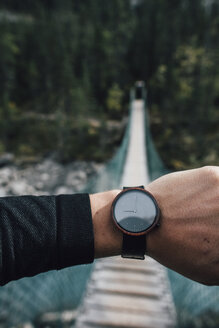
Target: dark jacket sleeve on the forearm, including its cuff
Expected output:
[42,233]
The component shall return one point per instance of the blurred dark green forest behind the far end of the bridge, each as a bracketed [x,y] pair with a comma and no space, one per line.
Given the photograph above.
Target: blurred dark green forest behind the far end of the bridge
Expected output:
[66,68]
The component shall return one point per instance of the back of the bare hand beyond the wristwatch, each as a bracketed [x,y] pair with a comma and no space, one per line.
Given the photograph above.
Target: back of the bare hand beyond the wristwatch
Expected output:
[187,240]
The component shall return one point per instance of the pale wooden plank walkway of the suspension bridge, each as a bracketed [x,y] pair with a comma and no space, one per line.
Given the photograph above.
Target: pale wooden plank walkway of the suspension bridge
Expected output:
[123,292]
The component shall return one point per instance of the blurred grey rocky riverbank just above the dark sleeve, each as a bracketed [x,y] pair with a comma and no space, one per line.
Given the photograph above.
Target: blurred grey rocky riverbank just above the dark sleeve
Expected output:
[46,177]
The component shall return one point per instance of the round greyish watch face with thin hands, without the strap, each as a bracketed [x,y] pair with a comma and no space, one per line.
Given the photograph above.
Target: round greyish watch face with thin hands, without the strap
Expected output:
[135,211]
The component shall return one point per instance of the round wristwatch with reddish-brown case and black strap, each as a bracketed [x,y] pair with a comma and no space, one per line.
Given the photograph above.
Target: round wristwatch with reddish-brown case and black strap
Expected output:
[135,212]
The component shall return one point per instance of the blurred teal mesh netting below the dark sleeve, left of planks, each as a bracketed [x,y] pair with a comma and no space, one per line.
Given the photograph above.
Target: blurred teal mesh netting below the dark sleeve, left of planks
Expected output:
[24,300]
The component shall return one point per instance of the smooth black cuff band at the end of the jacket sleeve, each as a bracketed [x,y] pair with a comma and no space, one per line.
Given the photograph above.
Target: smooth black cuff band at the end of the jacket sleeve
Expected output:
[75,237]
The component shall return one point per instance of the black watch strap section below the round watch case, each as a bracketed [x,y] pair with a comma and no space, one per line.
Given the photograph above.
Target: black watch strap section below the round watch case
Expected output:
[134,247]
